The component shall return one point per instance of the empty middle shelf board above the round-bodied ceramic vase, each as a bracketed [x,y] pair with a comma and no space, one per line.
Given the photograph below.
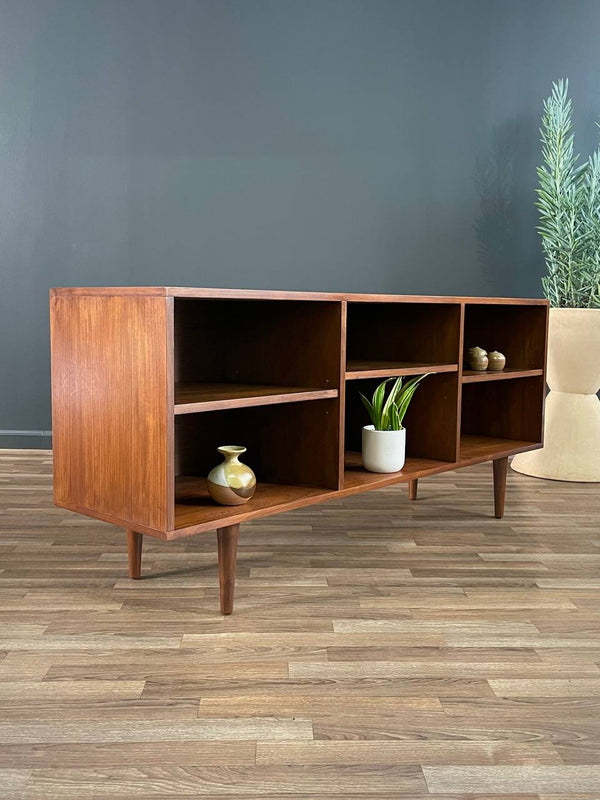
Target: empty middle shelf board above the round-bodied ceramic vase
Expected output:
[195,397]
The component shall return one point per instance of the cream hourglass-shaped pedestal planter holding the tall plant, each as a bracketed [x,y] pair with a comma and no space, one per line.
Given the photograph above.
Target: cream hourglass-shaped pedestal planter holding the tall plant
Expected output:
[571,449]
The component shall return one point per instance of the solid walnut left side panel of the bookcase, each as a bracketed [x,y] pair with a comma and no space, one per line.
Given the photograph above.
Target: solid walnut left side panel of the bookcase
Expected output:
[110,407]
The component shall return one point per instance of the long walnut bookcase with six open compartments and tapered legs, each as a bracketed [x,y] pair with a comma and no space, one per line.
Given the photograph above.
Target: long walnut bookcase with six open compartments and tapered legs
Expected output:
[148,381]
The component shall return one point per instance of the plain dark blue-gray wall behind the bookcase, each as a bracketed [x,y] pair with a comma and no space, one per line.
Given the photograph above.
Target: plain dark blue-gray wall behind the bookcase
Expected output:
[368,145]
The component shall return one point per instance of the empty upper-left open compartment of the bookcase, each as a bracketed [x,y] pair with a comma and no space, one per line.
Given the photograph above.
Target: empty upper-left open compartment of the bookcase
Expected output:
[236,353]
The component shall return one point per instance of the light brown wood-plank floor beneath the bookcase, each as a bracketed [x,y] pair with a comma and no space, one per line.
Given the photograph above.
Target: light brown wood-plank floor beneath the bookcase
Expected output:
[378,649]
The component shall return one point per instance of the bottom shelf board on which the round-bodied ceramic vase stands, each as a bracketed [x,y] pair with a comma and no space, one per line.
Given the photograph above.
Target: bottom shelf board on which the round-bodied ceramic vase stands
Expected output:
[195,508]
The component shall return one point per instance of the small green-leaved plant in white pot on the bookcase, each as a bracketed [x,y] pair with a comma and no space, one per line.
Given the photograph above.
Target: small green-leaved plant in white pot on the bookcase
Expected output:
[384,440]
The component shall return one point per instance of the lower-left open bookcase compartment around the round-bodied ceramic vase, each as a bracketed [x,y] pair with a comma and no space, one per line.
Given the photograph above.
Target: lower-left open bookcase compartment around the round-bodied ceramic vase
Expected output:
[293,450]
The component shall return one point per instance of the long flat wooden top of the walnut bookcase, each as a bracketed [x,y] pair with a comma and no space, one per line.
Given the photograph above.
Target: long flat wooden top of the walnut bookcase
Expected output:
[260,294]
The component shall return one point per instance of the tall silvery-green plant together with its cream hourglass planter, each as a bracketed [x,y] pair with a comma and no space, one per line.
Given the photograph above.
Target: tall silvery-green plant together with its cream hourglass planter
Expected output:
[569,206]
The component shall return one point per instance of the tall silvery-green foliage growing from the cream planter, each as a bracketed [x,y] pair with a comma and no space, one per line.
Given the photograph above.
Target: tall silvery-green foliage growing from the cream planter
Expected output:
[569,205]
